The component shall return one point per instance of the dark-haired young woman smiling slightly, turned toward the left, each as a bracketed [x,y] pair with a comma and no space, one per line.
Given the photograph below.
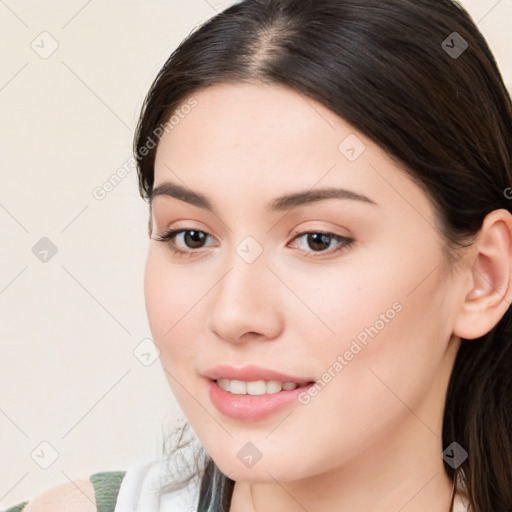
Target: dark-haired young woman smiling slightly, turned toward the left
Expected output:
[329,271]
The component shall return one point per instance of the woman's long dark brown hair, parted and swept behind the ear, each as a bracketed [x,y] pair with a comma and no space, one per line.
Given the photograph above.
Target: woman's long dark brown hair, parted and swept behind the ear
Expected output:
[418,78]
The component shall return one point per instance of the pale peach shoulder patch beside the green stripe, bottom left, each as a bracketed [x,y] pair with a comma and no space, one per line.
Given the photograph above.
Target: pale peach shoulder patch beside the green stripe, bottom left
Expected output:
[77,496]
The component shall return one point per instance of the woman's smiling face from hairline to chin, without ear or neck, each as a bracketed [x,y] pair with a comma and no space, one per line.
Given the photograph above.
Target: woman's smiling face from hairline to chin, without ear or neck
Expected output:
[349,292]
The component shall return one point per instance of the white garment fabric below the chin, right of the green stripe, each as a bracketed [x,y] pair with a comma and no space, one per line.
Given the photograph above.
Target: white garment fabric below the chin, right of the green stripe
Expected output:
[146,488]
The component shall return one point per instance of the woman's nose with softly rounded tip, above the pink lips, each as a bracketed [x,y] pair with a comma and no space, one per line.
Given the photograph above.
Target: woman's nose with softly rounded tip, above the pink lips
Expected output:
[245,303]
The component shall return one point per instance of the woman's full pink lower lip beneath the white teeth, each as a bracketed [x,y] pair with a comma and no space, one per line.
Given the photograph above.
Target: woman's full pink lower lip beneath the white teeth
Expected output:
[252,407]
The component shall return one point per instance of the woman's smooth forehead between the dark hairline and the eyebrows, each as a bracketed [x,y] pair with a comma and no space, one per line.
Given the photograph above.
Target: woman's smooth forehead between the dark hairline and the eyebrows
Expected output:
[256,140]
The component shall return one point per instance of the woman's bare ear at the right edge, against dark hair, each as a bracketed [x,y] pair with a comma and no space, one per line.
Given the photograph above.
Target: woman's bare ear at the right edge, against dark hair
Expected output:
[488,293]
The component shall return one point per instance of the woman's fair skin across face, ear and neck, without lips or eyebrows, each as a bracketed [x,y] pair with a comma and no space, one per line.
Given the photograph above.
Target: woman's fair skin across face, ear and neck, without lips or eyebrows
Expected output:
[371,439]
